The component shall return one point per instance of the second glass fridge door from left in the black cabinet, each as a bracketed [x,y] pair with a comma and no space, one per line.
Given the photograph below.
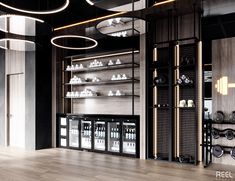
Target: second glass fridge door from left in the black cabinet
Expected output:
[86,134]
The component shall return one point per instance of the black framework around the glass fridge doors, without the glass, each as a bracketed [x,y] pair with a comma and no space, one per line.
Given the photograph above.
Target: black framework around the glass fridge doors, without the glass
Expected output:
[103,118]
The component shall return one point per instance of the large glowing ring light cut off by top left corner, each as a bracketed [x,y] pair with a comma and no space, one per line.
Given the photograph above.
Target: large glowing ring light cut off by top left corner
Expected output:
[64,6]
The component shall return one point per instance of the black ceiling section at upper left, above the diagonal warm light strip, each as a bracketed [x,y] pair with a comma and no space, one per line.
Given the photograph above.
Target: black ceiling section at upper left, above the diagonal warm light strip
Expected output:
[78,10]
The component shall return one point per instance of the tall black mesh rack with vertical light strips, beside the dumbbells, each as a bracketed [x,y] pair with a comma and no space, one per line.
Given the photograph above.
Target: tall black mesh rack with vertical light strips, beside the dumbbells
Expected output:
[175,128]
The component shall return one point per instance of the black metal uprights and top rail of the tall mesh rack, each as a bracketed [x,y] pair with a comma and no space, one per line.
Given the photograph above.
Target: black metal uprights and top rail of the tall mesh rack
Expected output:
[170,95]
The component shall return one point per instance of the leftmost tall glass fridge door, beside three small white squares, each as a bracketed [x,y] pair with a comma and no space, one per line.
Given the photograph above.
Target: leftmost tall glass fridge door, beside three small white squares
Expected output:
[74,132]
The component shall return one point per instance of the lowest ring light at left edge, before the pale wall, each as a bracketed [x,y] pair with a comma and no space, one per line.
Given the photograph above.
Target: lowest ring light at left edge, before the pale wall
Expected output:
[17,44]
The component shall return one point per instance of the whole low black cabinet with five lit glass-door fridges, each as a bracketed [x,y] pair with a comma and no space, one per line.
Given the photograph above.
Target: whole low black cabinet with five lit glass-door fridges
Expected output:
[110,134]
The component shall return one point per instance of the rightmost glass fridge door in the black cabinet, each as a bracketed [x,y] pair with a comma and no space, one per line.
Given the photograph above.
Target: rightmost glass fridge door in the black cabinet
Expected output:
[129,138]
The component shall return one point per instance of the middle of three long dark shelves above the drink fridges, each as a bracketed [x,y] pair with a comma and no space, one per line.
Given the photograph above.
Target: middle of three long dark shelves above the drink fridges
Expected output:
[104,82]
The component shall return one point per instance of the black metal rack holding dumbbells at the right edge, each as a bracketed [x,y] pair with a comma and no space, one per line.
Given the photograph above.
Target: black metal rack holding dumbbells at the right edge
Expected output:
[207,140]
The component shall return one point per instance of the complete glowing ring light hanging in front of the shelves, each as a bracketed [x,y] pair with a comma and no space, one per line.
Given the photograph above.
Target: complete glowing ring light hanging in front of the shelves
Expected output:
[77,37]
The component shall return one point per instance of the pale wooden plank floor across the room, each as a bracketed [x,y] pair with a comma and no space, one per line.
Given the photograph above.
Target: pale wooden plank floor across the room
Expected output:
[72,165]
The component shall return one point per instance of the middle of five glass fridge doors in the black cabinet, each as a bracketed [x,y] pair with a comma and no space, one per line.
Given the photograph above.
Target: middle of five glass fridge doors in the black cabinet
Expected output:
[99,135]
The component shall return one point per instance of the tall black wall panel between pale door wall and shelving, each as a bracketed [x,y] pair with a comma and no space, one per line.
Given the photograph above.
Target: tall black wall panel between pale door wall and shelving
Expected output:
[43,97]
